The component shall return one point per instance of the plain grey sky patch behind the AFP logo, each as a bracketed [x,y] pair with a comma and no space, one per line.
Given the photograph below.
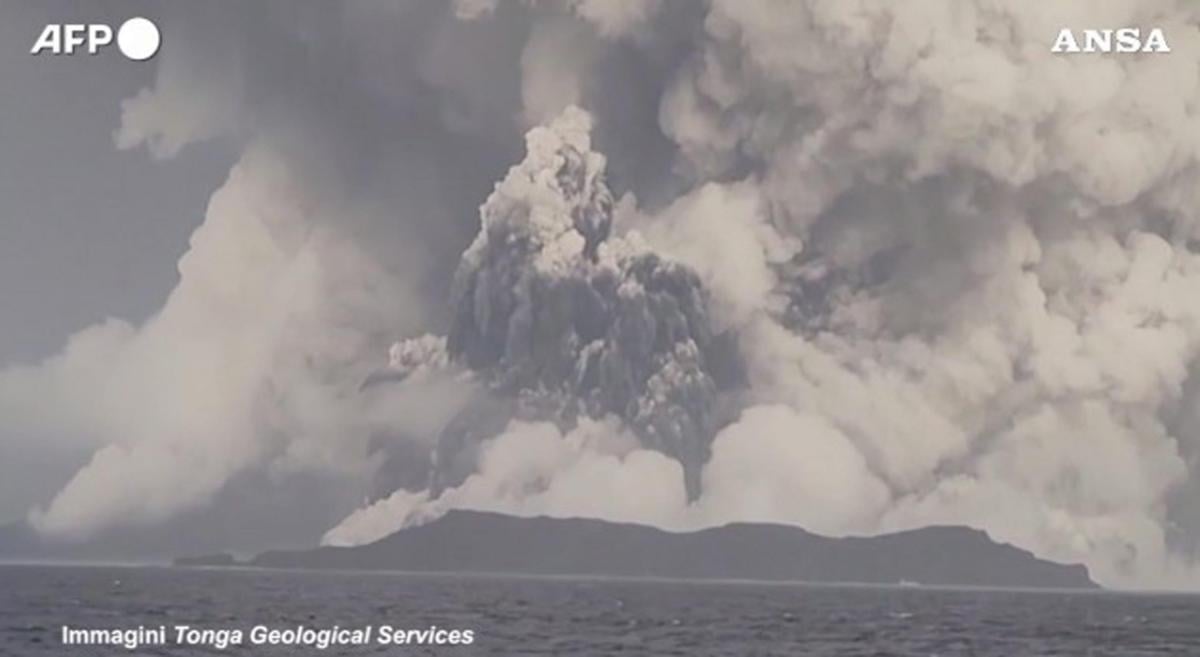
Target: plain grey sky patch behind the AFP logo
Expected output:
[87,232]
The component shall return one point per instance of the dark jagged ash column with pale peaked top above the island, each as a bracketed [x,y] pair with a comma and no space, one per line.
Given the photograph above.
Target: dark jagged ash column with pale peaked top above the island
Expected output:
[560,320]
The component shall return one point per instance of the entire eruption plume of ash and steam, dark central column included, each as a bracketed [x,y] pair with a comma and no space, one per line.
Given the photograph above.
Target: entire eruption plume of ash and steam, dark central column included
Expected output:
[902,267]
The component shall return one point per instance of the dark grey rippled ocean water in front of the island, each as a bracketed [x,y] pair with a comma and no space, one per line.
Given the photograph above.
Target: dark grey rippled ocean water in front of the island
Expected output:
[584,617]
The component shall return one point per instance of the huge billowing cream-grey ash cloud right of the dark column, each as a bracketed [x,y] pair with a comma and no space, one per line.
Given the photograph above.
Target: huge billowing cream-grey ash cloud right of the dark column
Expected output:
[987,251]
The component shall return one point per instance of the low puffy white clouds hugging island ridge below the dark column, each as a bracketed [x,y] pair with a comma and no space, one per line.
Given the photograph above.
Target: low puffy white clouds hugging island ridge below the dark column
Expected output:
[773,465]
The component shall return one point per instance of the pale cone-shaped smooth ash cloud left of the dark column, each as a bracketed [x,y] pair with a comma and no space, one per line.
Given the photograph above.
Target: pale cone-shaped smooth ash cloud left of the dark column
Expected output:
[247,361]
